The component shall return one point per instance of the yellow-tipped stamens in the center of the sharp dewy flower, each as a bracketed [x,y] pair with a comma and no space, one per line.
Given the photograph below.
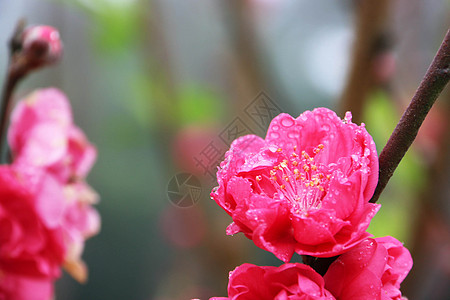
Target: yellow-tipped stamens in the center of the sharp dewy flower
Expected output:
[300,180]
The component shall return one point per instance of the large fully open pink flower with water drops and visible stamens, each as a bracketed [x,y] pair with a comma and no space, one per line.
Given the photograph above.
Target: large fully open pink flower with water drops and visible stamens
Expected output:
[305,188]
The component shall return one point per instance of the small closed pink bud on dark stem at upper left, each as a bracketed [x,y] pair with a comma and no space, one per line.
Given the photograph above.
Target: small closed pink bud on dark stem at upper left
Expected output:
[41,45]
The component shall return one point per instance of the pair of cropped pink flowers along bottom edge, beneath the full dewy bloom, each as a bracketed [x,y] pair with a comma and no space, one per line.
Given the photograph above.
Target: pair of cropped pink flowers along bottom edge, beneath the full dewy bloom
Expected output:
[373,269]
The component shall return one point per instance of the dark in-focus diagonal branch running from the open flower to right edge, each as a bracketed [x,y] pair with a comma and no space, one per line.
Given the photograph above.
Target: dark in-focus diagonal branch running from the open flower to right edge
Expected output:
[436,78]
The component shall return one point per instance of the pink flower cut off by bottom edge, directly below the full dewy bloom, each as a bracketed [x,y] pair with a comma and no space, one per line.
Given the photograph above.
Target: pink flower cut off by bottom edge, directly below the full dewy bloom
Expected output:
[290,281]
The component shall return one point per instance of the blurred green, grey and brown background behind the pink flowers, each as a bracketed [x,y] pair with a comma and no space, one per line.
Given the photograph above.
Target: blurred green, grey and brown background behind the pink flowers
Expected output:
[153,83]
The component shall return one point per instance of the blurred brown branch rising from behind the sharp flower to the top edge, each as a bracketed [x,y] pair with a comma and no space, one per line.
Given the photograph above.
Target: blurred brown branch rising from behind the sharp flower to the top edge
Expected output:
[369,37]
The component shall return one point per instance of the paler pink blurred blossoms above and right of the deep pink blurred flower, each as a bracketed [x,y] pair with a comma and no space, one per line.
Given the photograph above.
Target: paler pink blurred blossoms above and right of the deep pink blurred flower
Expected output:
[42,136]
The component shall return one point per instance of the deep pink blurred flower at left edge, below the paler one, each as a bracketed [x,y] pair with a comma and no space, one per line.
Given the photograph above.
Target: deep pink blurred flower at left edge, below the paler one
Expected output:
[31,240]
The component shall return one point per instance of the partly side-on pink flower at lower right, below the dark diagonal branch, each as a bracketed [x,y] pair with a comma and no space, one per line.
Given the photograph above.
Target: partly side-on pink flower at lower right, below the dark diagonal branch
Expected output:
[373,269]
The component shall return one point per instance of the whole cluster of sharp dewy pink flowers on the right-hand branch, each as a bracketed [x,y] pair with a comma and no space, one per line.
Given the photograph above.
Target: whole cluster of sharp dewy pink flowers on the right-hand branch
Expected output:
[305,189]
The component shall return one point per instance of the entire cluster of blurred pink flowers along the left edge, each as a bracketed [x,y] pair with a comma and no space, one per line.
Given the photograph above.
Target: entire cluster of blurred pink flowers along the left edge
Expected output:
[45,203]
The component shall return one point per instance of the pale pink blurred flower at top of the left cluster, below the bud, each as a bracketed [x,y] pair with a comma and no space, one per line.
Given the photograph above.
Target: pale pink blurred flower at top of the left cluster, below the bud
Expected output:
[42,134]
